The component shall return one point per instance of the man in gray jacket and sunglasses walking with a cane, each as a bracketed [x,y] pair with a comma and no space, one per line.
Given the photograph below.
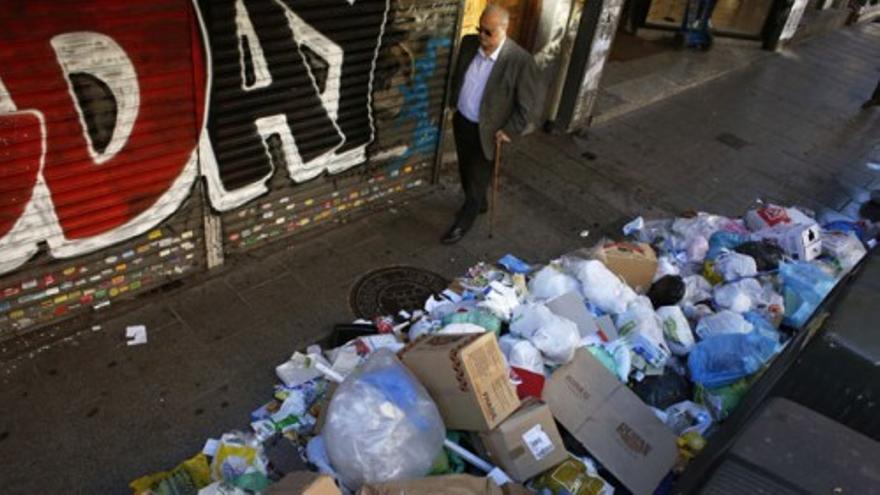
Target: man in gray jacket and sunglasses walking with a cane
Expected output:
[493,91]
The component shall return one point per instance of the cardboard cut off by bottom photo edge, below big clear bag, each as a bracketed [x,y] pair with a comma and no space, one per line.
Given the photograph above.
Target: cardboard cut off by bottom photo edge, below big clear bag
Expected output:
[455,484]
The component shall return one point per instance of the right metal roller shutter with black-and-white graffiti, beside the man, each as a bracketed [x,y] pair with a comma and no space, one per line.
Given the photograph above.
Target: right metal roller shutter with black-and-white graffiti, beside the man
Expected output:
[321,108]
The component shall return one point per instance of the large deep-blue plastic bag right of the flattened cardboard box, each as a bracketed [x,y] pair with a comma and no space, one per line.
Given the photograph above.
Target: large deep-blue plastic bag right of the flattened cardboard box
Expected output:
[720,360]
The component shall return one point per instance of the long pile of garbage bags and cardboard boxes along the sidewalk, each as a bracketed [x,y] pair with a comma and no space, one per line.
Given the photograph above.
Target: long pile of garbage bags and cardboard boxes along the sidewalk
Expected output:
[605,369]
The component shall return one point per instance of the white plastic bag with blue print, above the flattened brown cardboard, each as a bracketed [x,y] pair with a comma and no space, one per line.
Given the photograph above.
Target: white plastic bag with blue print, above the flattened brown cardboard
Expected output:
[642,329]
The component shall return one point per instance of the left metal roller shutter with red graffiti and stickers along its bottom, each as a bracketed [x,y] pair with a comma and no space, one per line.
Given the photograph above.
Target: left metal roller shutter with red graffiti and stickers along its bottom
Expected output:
[100,106]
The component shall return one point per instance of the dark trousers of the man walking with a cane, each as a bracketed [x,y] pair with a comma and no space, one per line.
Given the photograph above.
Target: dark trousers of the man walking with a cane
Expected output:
[474,168]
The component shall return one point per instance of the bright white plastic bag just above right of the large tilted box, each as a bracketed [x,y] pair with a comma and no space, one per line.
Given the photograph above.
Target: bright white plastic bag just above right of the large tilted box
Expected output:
[556,337]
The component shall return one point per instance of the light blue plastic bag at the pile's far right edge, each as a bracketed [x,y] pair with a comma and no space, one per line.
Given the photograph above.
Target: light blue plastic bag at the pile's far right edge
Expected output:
[804,286]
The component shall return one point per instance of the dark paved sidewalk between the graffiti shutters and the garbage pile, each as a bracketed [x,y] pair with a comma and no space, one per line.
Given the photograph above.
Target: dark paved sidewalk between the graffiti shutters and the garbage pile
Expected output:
[89,414]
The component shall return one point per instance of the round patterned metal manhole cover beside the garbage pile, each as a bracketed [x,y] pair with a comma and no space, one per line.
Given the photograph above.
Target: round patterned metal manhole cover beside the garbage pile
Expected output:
[386,291]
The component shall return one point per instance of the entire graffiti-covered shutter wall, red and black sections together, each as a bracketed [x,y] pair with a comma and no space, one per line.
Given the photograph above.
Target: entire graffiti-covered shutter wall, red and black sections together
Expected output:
[110,111]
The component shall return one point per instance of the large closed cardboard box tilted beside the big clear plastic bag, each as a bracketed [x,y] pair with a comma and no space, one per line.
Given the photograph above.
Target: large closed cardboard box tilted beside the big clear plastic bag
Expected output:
[466,376]
